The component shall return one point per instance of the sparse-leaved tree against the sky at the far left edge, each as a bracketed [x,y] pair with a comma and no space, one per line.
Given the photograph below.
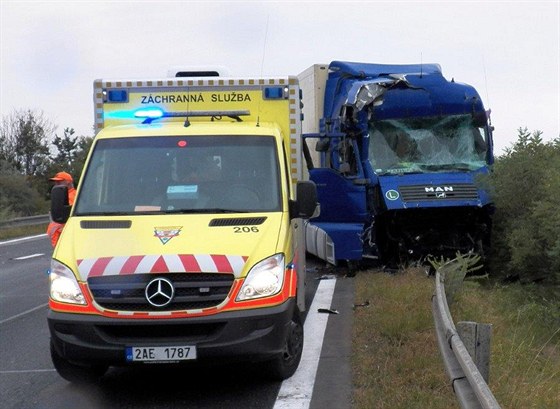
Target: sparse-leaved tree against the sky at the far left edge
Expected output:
[24,137]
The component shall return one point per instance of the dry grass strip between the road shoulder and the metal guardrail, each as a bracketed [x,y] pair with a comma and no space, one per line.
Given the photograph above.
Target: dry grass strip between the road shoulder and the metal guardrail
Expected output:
[395,360]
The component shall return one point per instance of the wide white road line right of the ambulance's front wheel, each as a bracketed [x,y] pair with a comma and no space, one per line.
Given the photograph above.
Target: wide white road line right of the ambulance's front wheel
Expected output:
[295,392]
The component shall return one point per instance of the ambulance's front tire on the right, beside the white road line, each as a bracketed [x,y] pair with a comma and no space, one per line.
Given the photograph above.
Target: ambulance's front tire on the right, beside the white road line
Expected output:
[286,364]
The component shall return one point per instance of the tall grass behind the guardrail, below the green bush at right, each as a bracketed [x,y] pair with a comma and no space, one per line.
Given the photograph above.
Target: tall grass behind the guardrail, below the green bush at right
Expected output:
[525,348]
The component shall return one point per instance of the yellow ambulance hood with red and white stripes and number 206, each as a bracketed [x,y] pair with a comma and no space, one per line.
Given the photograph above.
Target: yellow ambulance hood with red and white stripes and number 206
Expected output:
[165,244]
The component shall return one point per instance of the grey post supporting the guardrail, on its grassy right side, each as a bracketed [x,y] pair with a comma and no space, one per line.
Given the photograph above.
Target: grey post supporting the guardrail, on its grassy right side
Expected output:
[476,338]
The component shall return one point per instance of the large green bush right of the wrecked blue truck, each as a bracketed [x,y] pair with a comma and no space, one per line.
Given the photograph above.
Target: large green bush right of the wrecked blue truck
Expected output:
[525,184]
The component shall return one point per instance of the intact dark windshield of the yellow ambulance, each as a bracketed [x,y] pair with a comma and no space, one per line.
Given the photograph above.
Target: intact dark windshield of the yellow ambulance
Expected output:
[194,174]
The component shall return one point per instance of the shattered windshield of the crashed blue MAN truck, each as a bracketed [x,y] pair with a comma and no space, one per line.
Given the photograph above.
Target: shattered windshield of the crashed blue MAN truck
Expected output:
[432,144]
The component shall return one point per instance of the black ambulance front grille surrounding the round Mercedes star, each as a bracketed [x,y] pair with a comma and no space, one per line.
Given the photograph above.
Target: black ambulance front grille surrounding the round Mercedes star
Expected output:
[192,291]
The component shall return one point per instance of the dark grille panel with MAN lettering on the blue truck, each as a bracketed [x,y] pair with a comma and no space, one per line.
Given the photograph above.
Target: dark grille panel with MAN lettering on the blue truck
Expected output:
[459,191]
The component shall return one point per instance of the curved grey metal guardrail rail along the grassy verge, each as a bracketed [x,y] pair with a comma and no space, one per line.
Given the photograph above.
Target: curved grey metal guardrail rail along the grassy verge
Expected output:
[470,387]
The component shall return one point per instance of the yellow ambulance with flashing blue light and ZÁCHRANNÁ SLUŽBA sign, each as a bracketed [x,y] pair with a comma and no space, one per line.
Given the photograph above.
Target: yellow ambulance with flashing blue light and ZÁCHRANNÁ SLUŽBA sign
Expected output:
[184,244]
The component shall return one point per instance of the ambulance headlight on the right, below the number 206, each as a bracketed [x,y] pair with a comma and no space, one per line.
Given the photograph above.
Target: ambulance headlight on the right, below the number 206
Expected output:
[265,279]
